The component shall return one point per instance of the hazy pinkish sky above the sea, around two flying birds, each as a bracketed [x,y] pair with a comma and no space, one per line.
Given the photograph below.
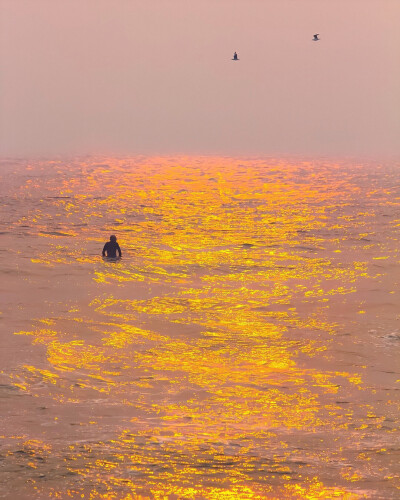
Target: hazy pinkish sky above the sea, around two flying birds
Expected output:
[156,76]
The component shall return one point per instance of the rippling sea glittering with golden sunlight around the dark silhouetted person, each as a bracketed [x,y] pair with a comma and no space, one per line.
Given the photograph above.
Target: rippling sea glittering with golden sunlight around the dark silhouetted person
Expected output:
[244,347]
